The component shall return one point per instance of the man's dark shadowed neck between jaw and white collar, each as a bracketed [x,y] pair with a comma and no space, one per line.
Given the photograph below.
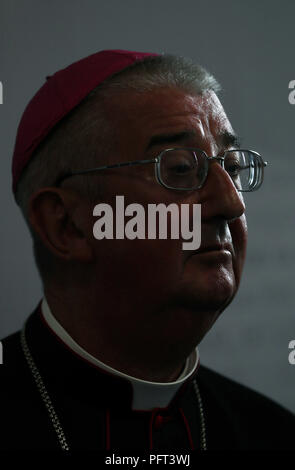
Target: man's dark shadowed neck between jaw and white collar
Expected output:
[131,340]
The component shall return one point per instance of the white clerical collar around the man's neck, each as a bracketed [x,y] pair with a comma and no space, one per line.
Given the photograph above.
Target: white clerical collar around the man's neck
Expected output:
[146,395]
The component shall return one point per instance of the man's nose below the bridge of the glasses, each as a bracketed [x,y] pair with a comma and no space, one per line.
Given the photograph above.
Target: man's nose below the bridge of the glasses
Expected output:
[219,196]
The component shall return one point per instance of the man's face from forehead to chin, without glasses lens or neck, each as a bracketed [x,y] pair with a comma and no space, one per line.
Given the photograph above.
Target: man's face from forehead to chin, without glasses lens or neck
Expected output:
[169,287]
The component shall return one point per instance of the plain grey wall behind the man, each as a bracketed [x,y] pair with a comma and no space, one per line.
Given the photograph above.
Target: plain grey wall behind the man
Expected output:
[249,46]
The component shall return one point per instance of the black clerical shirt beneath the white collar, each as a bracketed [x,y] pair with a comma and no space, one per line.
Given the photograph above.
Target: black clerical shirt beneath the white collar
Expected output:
[95,412]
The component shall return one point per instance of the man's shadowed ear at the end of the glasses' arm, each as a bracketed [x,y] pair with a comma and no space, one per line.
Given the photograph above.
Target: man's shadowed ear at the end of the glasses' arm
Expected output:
[53,215]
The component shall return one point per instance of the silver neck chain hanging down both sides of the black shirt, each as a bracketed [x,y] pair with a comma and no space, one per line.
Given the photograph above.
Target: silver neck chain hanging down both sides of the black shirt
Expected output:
[52,413]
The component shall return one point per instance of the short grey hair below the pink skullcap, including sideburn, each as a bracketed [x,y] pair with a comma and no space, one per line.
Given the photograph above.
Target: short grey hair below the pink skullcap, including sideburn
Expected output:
[74,141]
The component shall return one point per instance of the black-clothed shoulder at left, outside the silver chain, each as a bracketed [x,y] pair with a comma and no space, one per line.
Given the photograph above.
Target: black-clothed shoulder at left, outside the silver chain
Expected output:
[23,415]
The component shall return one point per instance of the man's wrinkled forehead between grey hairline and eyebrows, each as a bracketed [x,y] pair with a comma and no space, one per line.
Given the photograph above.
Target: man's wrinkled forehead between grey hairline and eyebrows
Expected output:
[139,116]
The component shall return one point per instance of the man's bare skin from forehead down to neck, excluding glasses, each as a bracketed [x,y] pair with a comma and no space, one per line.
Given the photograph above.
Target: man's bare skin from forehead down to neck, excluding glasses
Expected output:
[148,303]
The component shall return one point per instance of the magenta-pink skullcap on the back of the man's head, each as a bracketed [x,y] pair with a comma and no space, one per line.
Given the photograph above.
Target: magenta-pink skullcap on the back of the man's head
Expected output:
[59,95]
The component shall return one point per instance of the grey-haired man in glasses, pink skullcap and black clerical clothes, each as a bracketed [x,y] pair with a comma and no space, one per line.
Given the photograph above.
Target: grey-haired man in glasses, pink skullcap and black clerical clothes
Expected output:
[109,359]
